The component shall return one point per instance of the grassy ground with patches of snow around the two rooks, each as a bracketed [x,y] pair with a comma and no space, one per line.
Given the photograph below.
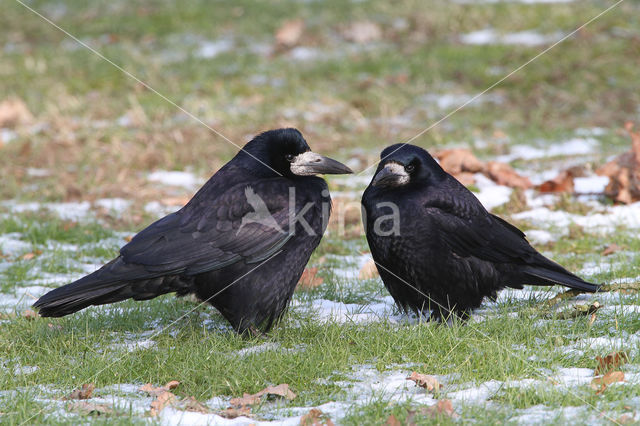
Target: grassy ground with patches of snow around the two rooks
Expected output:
[96,155]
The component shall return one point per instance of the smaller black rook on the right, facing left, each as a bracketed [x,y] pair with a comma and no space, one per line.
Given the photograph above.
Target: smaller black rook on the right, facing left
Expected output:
[437,248]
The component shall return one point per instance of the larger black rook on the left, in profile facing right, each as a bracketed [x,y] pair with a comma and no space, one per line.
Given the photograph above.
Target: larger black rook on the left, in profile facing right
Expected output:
[241,243]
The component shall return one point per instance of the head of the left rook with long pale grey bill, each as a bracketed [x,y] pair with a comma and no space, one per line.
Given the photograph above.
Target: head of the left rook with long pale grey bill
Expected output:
[285,152]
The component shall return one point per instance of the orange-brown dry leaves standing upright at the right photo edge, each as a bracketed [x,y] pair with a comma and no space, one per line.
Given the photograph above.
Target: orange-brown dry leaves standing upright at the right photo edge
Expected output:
[624,172]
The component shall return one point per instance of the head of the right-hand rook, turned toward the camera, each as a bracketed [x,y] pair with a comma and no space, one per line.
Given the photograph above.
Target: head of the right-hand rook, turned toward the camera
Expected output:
[404,165]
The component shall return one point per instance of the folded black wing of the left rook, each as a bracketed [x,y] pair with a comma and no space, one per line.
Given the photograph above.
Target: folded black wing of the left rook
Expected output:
[209,234]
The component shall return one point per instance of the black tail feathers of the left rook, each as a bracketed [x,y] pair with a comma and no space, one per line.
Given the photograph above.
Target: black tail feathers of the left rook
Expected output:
[104,286]
